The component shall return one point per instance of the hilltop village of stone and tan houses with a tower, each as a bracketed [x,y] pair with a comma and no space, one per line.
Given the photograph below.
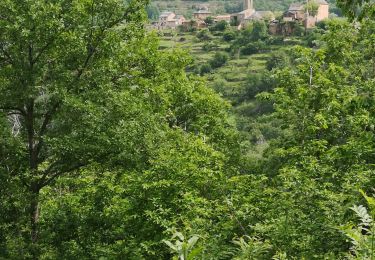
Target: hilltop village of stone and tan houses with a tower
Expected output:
[306,14]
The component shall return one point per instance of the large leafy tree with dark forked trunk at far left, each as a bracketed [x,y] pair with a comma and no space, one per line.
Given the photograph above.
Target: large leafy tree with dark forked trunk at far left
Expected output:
[61,62]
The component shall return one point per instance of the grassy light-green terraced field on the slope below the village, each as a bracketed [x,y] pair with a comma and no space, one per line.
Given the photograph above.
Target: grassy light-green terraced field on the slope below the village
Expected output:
[234,82]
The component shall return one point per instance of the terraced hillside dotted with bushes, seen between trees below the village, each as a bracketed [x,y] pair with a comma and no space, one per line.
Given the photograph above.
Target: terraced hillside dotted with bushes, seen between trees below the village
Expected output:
[241,77]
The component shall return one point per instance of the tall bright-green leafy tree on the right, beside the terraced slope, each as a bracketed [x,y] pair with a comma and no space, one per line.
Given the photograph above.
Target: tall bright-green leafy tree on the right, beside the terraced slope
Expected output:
[325,154]
